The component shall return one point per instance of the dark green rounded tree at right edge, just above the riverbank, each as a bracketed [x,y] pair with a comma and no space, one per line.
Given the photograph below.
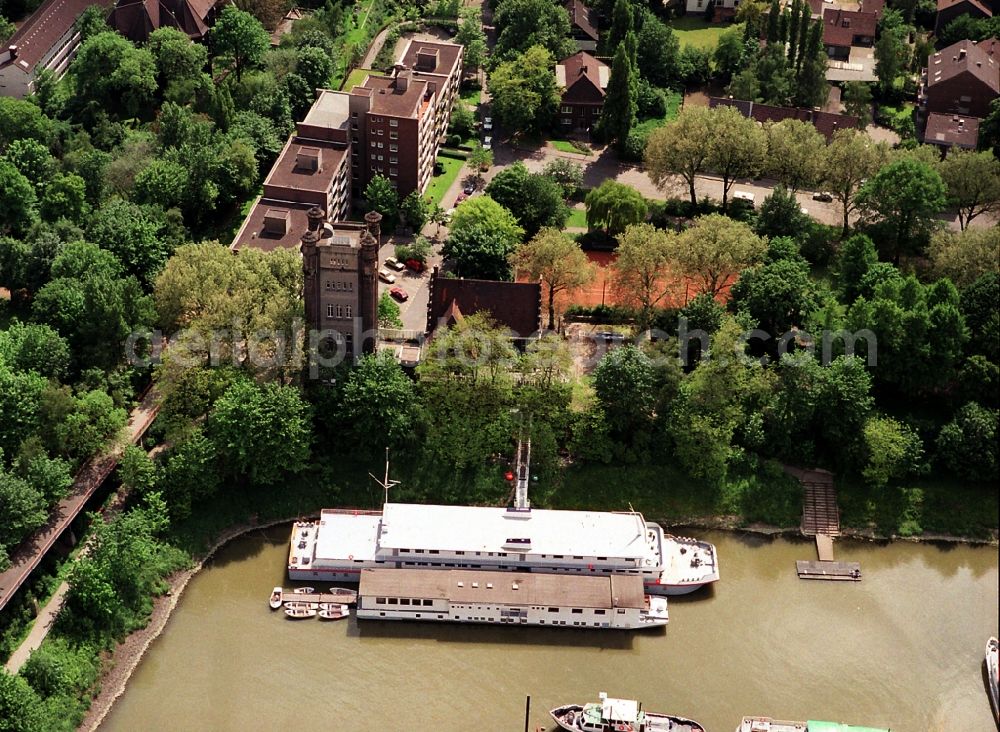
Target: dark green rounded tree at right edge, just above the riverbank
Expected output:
[967,446]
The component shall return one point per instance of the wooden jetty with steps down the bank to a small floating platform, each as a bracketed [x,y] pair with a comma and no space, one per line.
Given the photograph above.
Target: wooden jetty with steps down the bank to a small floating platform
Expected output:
[821,520]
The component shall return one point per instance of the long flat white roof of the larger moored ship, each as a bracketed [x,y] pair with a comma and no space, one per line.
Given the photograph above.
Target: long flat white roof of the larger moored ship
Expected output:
[489,529]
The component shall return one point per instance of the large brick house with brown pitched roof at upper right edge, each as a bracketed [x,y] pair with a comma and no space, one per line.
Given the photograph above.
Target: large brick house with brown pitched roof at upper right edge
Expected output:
[961,79]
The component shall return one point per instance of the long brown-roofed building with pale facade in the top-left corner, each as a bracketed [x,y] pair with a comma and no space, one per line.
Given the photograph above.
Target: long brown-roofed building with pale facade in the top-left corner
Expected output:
[46,40]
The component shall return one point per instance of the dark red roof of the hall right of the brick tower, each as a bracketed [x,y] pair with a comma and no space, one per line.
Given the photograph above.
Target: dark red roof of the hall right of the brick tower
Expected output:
[514,305]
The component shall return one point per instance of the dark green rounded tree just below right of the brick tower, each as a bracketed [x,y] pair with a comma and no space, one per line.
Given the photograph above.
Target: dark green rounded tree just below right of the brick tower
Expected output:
[379,399]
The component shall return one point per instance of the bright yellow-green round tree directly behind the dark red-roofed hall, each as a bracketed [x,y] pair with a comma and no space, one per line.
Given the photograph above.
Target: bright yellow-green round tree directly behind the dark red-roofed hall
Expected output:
[481,237]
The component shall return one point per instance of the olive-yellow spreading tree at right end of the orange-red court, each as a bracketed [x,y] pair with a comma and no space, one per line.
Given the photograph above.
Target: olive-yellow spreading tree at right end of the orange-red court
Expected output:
[715,249]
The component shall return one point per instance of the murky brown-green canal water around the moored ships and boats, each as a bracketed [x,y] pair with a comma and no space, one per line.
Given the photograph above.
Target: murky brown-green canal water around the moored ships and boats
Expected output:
[901,649]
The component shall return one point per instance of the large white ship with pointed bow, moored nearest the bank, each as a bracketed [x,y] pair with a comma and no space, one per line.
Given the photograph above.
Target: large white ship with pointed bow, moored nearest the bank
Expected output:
[344,542]
